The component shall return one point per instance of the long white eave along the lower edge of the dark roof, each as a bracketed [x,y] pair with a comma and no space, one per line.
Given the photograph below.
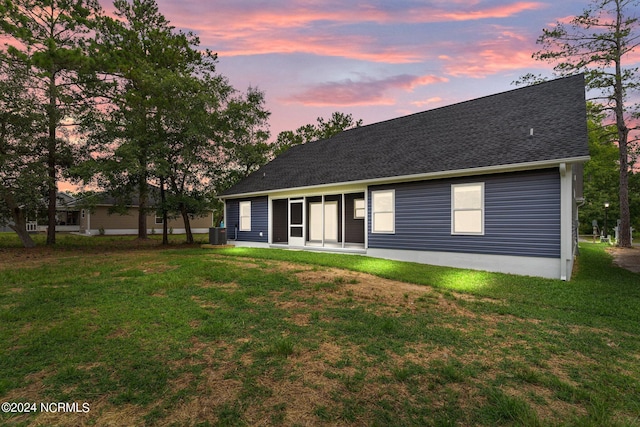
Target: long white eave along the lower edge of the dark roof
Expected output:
[485,170]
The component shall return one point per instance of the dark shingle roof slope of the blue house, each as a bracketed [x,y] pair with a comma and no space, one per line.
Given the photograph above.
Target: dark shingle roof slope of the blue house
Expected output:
[485,132]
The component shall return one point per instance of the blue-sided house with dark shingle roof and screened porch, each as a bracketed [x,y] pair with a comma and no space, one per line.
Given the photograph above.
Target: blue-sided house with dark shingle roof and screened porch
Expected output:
[487,184]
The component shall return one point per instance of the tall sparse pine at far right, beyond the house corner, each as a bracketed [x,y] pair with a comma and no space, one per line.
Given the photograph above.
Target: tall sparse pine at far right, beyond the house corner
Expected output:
[600,43]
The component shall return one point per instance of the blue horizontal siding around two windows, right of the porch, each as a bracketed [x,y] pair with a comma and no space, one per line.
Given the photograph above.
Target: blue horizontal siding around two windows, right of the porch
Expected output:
[522,216]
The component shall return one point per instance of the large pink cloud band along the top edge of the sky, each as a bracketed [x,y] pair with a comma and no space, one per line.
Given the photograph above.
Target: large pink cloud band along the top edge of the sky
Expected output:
[326,28]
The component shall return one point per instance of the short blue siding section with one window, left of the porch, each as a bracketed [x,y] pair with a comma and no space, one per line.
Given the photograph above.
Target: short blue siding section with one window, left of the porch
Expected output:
[259,220]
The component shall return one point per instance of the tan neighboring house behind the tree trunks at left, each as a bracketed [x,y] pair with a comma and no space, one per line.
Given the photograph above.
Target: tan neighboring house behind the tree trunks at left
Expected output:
[102,219]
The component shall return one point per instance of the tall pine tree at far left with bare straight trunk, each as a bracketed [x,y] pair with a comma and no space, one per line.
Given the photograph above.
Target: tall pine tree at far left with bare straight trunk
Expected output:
[48,38]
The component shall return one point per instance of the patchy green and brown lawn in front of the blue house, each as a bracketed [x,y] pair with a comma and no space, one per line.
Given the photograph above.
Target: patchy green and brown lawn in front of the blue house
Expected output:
[126,333]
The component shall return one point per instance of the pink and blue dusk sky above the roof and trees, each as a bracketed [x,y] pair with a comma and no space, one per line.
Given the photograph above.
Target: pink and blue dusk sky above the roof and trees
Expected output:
[374,59]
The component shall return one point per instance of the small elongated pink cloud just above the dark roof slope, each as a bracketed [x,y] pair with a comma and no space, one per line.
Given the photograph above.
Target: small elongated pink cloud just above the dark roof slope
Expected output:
[363,92]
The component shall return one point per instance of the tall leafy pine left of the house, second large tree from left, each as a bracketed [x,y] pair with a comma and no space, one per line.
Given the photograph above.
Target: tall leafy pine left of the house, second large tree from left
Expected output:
[139,52]
